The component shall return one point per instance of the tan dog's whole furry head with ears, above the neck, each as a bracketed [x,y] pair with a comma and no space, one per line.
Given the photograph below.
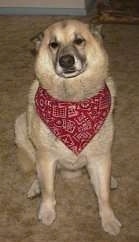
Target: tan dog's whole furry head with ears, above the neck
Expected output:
[69,49]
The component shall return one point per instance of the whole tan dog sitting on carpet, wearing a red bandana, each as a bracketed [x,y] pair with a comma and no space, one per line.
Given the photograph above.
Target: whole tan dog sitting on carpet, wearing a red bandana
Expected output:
[68,123]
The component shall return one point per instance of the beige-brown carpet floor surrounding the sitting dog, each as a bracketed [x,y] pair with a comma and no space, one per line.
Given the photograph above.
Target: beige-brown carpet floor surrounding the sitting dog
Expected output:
[77,213]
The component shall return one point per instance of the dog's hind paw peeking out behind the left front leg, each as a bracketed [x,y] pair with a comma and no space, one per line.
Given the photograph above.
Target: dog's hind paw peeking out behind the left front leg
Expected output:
[34,189]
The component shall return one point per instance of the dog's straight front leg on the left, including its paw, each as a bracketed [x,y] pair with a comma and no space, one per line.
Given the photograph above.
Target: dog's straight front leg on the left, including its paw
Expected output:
[46,166]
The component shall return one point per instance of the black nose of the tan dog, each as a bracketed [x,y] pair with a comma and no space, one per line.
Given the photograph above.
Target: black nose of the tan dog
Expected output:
[66,61]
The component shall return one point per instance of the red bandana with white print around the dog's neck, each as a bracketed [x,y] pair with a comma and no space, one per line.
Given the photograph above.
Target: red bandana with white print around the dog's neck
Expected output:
[74,123]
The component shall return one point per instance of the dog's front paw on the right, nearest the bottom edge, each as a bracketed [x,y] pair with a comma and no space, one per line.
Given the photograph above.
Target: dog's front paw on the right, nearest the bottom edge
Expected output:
[111,224]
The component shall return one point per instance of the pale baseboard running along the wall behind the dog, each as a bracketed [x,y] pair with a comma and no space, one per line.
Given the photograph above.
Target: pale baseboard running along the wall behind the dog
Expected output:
[42,11]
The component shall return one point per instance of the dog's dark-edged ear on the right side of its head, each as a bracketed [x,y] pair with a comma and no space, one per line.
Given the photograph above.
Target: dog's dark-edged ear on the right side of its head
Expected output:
[97,31]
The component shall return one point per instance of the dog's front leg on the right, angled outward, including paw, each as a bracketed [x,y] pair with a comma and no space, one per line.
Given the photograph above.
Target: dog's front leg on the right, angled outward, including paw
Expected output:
[100,173]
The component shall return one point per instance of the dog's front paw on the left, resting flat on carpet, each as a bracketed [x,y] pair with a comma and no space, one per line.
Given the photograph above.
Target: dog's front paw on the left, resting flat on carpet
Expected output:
[47,214]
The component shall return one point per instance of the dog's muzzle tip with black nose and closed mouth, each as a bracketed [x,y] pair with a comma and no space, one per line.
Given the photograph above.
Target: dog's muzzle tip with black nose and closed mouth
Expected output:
[69,66]
